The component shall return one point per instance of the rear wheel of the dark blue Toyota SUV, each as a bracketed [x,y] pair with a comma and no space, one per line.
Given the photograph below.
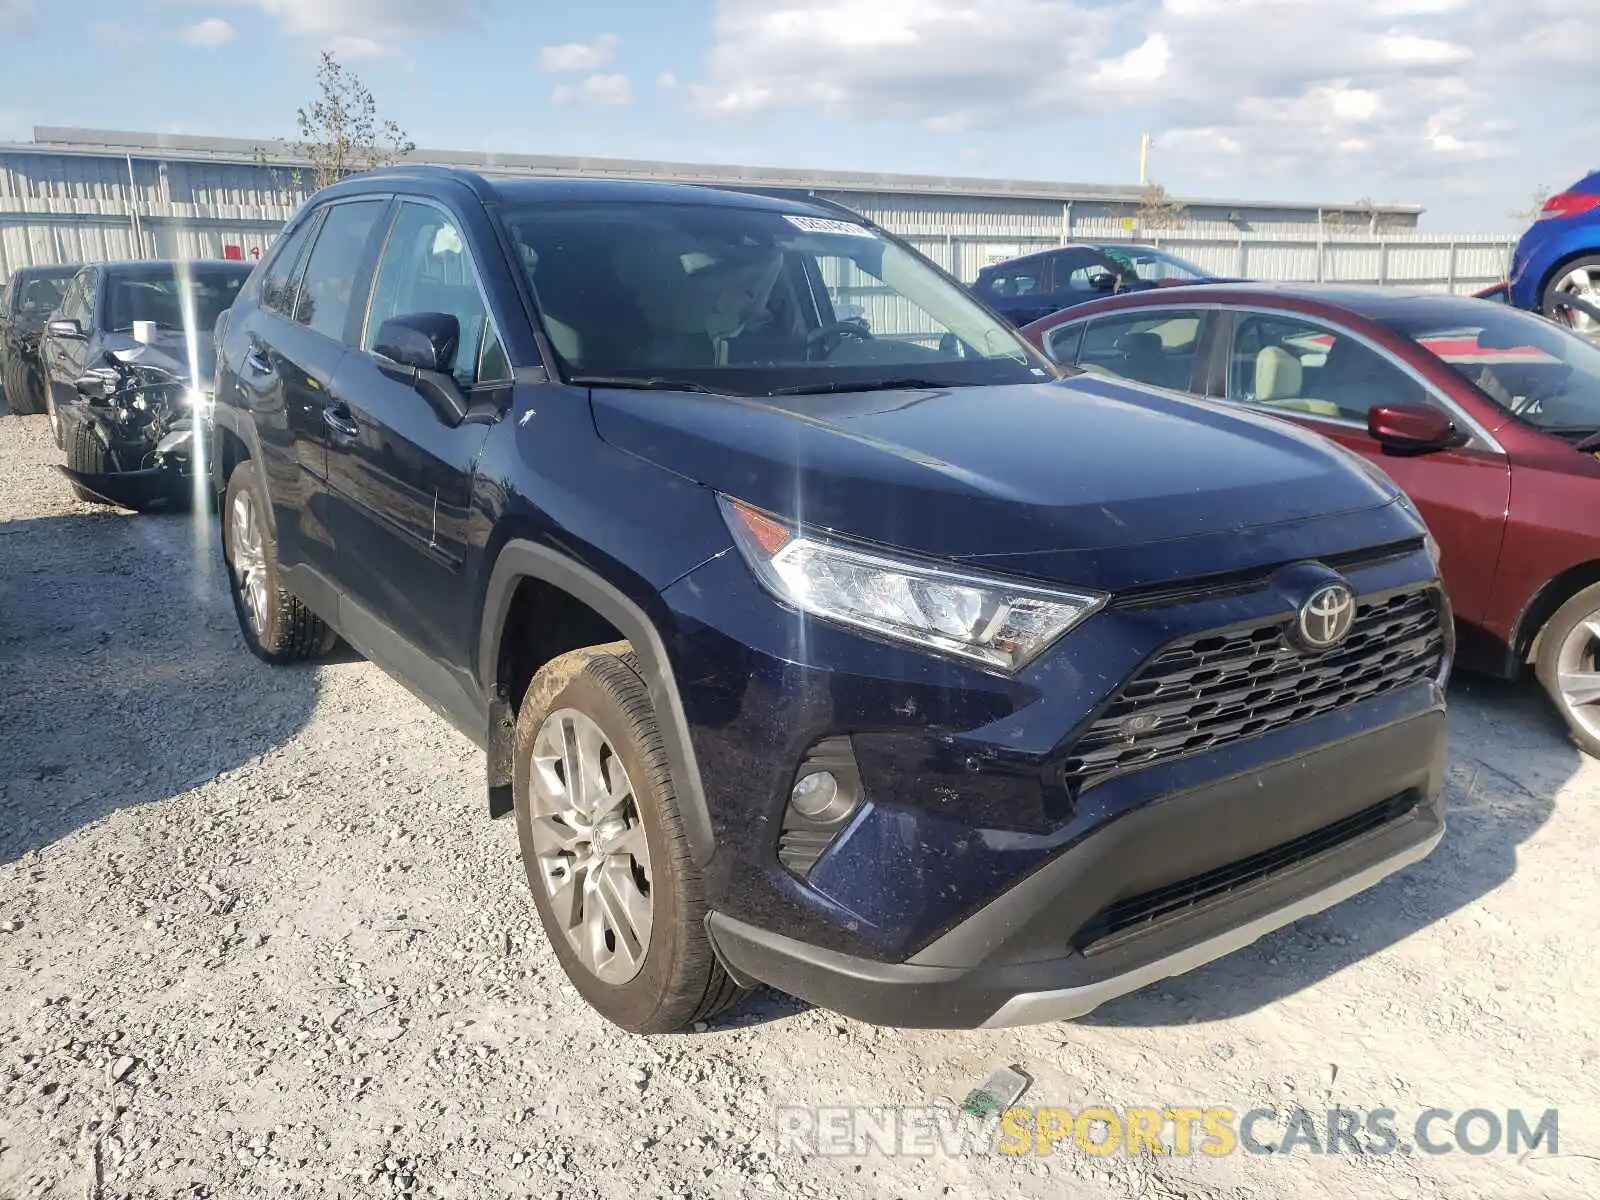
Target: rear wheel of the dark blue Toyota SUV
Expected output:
[278,626]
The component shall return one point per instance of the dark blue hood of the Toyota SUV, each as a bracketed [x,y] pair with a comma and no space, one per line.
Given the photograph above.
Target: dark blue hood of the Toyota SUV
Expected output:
[1086,481]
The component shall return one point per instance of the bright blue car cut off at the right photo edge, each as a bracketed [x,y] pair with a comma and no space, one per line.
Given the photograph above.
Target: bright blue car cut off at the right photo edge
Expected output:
[1561,254]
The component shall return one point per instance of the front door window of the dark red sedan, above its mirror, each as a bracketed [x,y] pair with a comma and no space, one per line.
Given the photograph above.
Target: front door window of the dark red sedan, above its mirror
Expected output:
[1305,367]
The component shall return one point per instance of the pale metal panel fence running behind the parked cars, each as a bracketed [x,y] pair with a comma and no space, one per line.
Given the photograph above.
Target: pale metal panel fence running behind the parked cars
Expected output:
[39,231]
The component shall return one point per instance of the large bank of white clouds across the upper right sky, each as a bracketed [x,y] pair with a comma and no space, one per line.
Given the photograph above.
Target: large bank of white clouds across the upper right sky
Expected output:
[1380,87]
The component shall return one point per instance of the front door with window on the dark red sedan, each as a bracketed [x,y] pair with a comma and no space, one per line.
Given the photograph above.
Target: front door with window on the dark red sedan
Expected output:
[1327,378]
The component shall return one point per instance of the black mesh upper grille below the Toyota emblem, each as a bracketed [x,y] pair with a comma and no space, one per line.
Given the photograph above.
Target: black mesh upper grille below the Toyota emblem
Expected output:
[1218,689]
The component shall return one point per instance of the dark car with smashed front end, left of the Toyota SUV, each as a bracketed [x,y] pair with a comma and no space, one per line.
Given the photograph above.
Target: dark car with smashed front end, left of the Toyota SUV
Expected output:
[130,364]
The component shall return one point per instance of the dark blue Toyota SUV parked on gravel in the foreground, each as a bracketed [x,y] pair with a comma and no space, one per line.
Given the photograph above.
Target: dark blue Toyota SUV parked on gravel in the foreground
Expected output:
[817,633]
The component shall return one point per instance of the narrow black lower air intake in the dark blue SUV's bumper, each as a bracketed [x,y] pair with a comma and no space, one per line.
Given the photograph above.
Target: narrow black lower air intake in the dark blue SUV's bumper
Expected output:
[1151,908]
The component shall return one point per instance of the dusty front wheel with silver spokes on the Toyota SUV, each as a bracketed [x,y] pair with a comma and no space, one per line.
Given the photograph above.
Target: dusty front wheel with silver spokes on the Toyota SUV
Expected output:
[676,977]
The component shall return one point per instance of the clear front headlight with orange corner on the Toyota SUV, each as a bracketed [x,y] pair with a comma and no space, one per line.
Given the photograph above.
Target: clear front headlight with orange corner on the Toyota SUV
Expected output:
[993,622]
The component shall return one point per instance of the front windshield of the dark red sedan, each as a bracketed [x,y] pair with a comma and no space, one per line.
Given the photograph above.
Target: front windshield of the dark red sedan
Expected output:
[1530,367]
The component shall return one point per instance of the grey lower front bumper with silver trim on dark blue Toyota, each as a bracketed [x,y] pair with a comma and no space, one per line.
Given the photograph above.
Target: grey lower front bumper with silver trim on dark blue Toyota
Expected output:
[1046,951]
